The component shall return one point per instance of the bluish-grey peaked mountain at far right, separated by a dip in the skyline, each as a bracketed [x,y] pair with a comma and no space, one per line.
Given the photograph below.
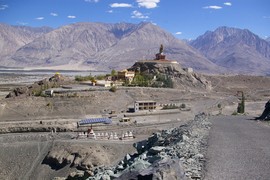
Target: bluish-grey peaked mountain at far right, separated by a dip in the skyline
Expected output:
[235,49]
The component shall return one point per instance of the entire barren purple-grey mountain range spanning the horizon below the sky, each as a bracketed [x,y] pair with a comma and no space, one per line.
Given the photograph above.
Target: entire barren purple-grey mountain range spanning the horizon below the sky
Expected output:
[102,46]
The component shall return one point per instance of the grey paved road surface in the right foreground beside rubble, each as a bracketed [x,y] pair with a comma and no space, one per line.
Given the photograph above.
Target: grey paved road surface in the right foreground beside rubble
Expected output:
[238,149]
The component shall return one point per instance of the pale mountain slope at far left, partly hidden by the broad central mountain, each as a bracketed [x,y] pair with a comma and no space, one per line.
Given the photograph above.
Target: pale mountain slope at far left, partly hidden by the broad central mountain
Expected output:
[14,37]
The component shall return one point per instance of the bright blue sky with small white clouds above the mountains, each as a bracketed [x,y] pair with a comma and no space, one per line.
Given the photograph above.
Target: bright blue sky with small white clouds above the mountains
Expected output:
[186,19]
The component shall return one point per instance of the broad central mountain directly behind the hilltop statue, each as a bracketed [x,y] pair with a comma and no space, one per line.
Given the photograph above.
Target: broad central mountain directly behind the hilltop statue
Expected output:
[103,46]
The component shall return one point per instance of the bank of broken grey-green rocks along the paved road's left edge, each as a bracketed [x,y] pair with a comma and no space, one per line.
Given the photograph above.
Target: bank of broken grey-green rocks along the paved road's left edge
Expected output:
[176,153]
